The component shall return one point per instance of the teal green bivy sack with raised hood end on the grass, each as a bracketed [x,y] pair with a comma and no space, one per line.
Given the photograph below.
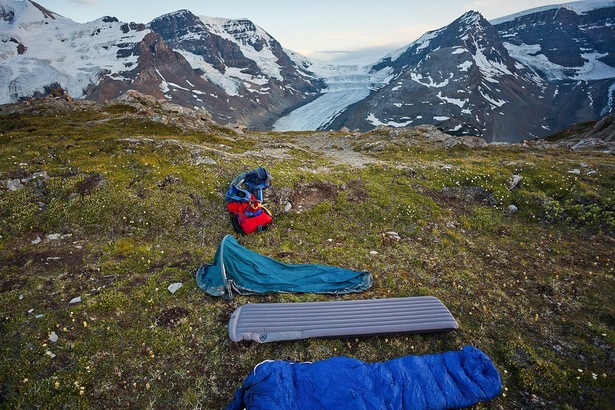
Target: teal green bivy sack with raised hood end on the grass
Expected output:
[238,270]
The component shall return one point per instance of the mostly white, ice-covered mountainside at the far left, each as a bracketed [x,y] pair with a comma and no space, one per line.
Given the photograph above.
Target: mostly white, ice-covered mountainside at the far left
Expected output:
[40,49]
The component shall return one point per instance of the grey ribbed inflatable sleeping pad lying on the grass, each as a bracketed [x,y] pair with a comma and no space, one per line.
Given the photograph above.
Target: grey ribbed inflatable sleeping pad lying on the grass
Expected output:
[270,322]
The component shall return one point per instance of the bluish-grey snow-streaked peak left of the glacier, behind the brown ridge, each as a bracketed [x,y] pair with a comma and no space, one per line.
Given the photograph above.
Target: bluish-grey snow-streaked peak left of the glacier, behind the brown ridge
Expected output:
[258,100]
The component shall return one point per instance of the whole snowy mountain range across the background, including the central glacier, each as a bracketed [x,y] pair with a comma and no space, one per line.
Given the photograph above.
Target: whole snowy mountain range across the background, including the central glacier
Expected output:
[517,77]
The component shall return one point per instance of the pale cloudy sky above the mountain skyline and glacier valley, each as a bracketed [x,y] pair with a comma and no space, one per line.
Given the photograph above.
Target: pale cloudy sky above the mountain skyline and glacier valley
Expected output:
[327,30]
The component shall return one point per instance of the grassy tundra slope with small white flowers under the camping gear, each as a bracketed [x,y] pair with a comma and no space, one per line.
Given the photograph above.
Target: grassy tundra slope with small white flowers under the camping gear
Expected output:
[113,203]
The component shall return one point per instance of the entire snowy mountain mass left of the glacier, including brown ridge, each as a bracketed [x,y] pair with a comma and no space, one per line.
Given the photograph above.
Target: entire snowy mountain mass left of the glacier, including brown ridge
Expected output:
[231,68]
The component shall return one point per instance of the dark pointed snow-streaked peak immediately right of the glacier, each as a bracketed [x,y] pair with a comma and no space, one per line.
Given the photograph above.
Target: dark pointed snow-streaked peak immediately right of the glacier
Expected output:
[460,78]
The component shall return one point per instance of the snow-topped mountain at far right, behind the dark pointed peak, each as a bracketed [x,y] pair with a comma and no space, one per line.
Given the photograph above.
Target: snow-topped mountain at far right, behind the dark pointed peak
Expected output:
[572,49]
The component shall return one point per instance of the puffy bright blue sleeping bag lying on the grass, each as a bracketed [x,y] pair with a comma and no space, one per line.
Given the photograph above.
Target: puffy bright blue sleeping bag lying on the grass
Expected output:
[450,380]
